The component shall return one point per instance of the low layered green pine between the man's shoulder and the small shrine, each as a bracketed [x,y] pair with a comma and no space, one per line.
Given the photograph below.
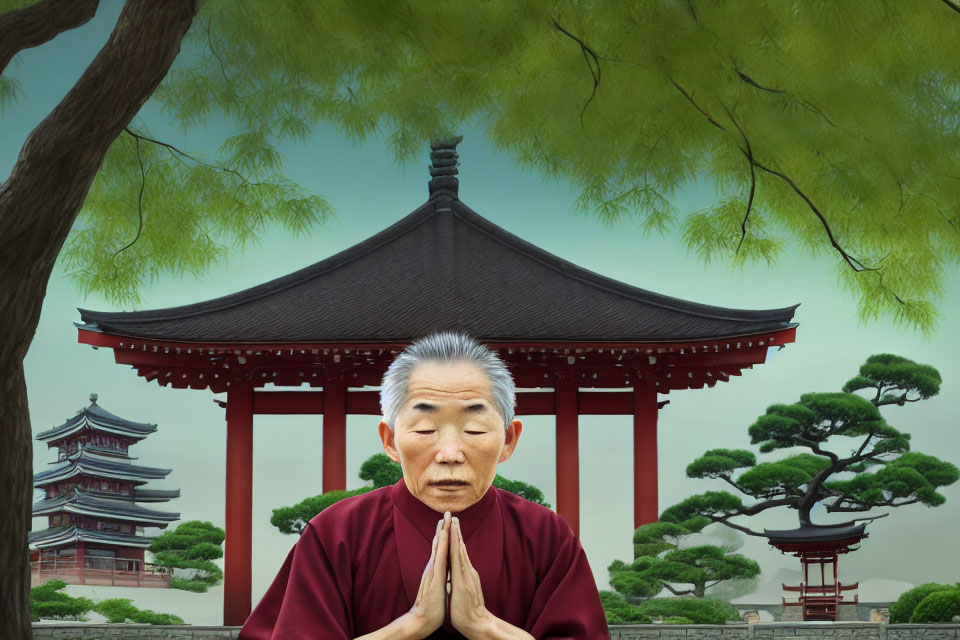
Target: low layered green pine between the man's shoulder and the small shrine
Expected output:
[661,562]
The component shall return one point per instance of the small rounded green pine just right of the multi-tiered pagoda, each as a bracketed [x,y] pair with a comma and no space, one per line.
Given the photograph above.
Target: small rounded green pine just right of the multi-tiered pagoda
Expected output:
[192,547]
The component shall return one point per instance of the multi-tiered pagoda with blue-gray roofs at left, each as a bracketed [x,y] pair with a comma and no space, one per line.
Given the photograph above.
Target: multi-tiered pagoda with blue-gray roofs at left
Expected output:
[95,533]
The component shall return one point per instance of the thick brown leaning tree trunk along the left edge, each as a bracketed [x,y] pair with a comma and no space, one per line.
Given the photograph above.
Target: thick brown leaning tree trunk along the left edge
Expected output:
[39,202]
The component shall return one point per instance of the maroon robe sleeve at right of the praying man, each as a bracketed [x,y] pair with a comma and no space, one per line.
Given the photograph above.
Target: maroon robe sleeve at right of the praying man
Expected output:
[566,604]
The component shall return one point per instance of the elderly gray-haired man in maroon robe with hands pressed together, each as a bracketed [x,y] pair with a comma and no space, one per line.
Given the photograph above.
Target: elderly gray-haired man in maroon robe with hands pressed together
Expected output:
[442,553]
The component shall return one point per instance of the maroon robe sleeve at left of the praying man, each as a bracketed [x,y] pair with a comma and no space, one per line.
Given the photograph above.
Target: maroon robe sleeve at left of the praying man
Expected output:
[310,593]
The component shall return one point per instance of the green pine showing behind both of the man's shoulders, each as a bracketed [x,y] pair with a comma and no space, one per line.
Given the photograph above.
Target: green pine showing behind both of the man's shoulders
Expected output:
[381,471]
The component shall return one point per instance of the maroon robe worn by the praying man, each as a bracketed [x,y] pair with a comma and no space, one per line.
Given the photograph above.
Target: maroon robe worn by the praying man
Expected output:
[357,567]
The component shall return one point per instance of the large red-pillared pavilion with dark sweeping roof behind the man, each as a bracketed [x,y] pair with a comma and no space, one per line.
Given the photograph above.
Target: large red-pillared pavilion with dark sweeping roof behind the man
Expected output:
[577,343]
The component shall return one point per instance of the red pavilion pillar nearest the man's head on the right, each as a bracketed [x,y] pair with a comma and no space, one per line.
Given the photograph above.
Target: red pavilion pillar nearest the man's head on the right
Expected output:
[568,454]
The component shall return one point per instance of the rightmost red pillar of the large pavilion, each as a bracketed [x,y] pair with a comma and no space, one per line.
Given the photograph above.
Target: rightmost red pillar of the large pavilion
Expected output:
[645,509]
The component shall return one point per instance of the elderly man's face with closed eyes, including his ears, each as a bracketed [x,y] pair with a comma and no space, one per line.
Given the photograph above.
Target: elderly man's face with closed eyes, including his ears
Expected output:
[448,436]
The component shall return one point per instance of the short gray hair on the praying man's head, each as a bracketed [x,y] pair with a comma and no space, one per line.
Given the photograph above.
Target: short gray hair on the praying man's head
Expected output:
[446,346]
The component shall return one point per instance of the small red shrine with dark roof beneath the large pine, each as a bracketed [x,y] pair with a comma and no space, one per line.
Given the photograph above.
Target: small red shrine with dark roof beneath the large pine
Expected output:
[821,593]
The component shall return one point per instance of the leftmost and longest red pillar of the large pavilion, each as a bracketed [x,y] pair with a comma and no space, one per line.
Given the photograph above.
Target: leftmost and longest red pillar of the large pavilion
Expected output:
[239,507]
